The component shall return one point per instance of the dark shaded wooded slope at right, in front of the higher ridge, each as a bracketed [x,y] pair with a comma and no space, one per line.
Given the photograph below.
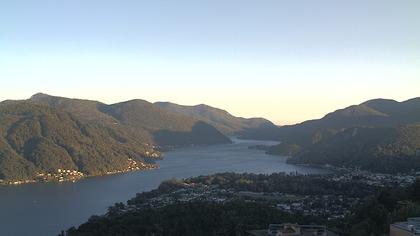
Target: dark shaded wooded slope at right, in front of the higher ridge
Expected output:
[378,149]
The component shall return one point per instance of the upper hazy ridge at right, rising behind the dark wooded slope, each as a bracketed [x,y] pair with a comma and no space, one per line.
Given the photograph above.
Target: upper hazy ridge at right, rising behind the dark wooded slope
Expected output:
[373,113]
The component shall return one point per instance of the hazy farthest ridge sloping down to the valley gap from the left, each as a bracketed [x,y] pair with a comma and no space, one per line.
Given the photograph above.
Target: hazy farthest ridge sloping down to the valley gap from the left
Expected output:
[221,119]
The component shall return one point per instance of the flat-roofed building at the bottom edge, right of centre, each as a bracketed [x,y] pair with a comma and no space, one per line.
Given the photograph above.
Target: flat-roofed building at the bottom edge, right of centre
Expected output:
[288,229]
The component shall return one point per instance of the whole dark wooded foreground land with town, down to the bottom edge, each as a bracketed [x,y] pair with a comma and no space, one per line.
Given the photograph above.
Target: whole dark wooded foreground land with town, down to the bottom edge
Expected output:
[286,203]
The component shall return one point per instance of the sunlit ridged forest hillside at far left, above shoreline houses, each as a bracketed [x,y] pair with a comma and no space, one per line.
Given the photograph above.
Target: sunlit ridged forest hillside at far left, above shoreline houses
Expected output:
[39,139]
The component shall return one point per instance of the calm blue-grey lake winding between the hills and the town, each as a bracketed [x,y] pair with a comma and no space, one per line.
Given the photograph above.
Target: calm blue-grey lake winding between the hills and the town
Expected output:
[47,208]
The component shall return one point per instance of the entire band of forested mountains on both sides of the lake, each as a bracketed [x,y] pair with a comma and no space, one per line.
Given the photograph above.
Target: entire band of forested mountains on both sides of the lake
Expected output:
[46,133]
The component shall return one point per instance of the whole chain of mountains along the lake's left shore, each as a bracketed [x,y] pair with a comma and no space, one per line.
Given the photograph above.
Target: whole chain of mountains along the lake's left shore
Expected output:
[46,133]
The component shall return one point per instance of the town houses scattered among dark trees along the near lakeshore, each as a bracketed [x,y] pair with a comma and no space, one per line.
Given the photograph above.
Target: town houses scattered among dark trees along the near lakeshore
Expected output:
[333,199]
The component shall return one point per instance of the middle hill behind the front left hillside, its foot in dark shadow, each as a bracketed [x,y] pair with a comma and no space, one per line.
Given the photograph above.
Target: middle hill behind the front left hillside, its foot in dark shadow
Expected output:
[167,128]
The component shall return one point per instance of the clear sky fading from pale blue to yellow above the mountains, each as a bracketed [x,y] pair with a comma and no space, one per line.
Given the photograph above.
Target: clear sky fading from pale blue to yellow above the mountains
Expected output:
[287,61]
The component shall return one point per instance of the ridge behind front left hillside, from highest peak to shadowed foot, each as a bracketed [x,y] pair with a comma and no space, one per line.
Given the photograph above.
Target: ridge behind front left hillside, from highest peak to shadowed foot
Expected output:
[144,120]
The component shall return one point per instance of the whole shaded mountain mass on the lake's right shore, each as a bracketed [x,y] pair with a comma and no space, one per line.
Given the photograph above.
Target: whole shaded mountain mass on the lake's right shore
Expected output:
[381,135]
